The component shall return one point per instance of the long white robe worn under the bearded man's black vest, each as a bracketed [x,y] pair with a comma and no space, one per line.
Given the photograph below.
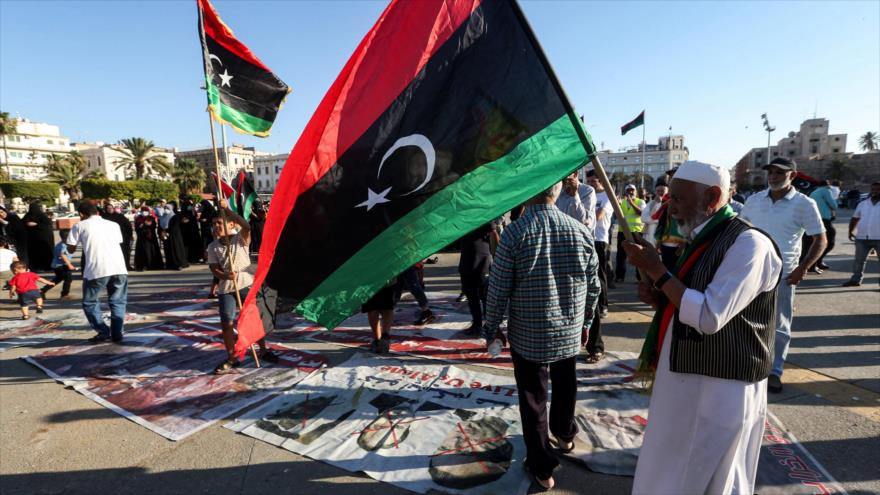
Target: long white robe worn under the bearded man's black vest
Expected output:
[704,433]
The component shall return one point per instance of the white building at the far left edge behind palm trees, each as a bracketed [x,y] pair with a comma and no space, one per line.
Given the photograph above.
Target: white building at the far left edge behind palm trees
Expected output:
[30,147]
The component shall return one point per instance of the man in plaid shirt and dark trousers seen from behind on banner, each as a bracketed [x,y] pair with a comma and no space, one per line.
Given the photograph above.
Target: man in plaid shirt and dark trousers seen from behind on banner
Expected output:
[546,272]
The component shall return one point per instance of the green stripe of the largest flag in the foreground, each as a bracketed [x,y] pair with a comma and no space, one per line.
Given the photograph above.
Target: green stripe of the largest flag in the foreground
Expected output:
[473,200]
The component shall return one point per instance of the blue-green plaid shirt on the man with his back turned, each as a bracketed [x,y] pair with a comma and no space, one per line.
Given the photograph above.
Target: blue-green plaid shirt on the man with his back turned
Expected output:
[546,270]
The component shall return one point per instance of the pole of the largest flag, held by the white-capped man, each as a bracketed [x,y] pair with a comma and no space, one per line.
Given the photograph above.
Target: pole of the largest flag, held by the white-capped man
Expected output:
[597,165]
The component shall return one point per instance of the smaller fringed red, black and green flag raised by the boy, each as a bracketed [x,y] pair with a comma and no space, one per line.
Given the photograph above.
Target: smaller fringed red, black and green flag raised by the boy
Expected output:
[242,92]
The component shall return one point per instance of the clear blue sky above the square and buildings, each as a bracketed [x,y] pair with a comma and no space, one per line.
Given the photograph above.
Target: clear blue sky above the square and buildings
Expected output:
[107,70]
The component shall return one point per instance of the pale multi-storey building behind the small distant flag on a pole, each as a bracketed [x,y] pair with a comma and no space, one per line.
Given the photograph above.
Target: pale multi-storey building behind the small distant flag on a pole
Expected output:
[668,153]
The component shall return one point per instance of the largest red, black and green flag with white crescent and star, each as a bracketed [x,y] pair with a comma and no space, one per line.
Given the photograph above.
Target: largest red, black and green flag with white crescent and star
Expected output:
[445,117]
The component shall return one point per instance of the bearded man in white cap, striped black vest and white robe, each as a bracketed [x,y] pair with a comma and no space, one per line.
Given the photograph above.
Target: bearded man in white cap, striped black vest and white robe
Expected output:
[710,345]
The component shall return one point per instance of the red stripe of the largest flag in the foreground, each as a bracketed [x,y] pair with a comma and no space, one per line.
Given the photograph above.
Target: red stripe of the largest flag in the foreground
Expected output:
[405,37]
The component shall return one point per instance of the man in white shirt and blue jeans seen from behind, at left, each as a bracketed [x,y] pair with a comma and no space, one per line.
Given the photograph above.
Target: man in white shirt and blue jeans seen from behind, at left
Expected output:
[103,268]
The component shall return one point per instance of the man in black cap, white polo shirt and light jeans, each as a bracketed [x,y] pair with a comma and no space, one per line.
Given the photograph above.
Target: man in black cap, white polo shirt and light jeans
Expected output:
[785,214]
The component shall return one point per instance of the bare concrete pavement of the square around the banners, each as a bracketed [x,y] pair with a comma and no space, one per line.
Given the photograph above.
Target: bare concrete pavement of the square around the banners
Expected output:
[54,440]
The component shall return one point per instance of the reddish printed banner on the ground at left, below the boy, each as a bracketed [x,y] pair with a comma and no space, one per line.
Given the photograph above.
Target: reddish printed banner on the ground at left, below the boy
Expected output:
[162,377]
